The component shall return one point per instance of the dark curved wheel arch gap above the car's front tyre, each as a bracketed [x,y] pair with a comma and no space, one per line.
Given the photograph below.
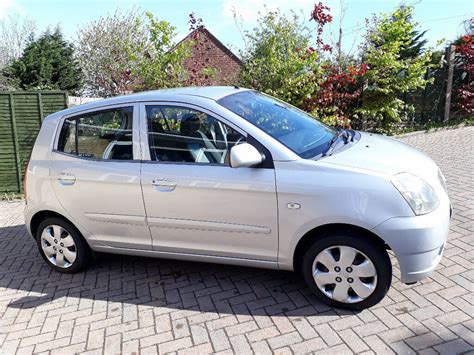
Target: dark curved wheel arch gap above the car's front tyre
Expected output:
[311,236]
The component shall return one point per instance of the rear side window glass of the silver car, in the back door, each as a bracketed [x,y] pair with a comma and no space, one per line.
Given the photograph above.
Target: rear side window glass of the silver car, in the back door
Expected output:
[100,135]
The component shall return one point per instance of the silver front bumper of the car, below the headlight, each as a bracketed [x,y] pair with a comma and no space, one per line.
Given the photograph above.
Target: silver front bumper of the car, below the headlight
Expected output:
[418,242]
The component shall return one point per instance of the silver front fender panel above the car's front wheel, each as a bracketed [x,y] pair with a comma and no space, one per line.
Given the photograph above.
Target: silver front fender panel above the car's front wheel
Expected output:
[330,195]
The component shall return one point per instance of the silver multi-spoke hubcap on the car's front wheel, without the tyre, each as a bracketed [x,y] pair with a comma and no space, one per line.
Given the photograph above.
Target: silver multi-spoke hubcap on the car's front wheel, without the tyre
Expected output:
[344,274]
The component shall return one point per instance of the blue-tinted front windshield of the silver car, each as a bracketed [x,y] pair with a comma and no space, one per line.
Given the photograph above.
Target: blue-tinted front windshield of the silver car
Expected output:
[292,127]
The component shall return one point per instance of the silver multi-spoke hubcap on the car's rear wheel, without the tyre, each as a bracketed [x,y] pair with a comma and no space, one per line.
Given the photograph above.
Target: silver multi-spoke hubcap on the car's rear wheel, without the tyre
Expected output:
[58,246]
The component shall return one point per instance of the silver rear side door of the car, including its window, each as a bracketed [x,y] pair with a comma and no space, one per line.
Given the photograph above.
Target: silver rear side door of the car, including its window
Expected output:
[95,171]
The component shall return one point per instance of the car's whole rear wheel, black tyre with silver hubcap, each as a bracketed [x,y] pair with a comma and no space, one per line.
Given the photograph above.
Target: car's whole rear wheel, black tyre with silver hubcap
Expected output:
[62,246]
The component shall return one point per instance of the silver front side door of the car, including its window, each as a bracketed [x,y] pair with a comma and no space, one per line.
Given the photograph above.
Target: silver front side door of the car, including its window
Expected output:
[195,202]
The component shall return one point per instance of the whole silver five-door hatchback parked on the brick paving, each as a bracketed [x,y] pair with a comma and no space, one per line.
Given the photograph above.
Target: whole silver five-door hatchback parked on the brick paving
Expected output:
[233,176]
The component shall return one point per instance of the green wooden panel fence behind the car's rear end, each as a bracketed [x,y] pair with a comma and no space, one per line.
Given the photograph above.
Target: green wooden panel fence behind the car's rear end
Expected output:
[21,115]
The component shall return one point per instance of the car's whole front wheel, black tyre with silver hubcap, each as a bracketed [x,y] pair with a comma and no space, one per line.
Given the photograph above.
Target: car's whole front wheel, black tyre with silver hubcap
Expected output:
[365,281]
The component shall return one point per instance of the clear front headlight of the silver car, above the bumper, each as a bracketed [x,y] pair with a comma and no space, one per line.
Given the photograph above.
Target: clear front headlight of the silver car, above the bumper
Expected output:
[417,192]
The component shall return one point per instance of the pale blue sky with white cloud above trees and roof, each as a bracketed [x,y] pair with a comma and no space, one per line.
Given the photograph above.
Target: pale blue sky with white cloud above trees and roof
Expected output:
[441,18]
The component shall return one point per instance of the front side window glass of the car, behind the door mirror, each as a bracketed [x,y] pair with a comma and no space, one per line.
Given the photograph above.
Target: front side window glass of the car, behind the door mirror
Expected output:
[184,135]
